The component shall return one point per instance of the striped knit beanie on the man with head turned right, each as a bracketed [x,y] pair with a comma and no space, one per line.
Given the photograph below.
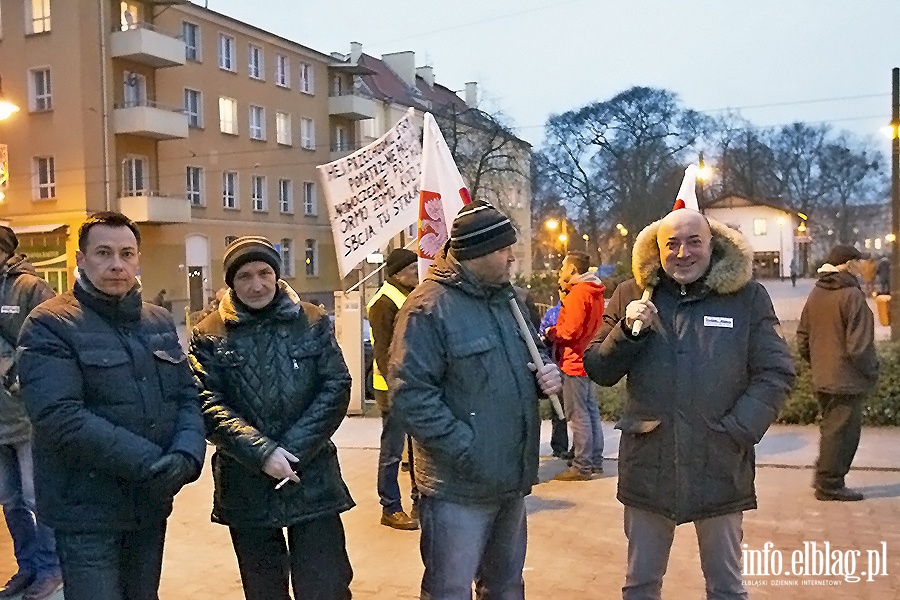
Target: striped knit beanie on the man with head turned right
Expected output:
[480,229]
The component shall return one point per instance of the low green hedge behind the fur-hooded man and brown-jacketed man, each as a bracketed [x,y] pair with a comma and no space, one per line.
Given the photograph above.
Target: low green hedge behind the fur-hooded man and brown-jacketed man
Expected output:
[882,407]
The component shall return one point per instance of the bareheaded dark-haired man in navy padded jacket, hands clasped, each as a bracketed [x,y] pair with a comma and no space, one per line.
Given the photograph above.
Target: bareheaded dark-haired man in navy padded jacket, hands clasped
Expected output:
[117,428]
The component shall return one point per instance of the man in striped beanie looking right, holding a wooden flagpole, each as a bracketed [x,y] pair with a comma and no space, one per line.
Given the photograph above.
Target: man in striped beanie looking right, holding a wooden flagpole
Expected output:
[461,380]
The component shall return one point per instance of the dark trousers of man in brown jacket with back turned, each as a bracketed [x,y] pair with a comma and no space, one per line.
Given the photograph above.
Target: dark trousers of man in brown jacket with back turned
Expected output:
[839,429]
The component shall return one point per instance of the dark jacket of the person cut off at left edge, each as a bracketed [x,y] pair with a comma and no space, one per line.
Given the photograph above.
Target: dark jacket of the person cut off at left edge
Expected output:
[21,290]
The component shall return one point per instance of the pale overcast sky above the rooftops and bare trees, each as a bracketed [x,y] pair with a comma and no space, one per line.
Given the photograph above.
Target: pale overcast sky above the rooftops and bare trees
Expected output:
[778,61]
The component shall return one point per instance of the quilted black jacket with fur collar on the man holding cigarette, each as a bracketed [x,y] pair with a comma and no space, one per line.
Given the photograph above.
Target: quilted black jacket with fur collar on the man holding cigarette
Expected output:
[271,378]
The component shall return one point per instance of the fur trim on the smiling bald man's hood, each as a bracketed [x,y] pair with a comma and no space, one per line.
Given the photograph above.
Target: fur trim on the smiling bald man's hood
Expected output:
[730,269]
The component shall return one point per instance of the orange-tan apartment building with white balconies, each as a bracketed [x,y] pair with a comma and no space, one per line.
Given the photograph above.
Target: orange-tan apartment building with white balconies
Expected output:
[199,127]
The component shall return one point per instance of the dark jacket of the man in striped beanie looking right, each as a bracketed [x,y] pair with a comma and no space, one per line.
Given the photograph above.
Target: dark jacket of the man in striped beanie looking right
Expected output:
[458,378]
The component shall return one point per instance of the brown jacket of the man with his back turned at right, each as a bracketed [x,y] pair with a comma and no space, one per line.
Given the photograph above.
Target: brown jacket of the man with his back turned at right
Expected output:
[837,336]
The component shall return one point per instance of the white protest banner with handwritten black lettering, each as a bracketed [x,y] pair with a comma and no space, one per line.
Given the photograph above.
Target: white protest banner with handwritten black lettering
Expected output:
[372,194]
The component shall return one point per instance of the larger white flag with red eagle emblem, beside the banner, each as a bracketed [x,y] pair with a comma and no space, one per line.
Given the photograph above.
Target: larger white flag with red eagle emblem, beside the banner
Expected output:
[442,193]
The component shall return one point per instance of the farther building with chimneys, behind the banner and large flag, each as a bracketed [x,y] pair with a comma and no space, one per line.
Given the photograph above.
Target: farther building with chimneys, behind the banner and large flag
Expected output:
[393,83]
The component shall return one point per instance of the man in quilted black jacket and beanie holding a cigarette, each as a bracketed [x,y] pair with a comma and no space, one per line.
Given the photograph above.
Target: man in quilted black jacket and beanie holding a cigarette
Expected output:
[274,388]
